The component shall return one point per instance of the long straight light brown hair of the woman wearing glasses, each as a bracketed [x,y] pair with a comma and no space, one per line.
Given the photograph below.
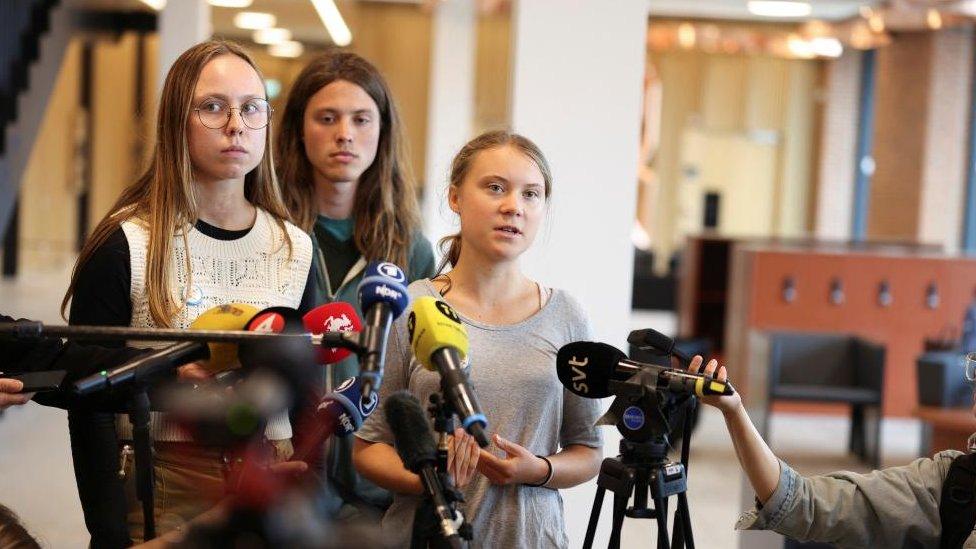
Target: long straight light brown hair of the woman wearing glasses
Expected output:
[164,197]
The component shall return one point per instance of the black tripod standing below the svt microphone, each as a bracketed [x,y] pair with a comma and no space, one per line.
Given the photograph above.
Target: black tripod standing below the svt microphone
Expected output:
[642,468]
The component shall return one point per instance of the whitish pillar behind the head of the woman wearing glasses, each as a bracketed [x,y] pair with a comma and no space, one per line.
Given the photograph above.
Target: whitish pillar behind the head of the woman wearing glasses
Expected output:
[182,23]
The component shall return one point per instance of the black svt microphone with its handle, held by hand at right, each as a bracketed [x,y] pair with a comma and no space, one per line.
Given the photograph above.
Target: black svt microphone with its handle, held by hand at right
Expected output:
[590,370]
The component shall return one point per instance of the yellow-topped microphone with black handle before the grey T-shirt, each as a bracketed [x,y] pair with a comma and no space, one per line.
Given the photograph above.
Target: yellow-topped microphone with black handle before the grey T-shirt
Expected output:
[440,344]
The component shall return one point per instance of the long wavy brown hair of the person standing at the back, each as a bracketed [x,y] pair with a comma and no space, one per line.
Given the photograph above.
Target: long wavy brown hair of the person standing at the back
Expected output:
[385,210]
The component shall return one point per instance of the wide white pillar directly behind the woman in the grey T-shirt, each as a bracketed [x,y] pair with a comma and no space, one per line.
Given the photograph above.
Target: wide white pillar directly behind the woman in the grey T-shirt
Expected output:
[578,70]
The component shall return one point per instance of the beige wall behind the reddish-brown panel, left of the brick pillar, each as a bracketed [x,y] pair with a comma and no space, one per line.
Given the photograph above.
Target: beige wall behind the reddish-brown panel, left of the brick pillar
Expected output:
[753,121]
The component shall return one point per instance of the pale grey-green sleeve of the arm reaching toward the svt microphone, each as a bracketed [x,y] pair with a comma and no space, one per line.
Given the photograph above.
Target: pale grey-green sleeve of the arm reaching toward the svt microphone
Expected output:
[894,507]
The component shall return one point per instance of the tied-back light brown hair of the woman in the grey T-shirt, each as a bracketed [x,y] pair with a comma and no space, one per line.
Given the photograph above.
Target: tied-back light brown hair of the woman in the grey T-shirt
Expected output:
[451,245]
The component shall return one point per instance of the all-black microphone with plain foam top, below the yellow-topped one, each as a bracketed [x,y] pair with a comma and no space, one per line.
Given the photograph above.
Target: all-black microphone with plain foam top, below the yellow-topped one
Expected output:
[416,448]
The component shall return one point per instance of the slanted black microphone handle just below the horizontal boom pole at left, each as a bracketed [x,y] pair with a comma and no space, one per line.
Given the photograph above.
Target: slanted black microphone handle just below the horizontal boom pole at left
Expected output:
[143,368]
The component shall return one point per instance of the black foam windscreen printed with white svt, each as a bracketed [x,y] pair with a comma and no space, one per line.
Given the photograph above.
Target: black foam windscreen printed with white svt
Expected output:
[585,368]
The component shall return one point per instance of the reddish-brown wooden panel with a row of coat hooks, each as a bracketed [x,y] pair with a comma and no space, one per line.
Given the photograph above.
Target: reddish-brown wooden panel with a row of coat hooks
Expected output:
[756,304]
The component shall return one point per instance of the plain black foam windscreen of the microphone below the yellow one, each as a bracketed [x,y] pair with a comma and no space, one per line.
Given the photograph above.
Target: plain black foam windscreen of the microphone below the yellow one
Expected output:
[411,431]
